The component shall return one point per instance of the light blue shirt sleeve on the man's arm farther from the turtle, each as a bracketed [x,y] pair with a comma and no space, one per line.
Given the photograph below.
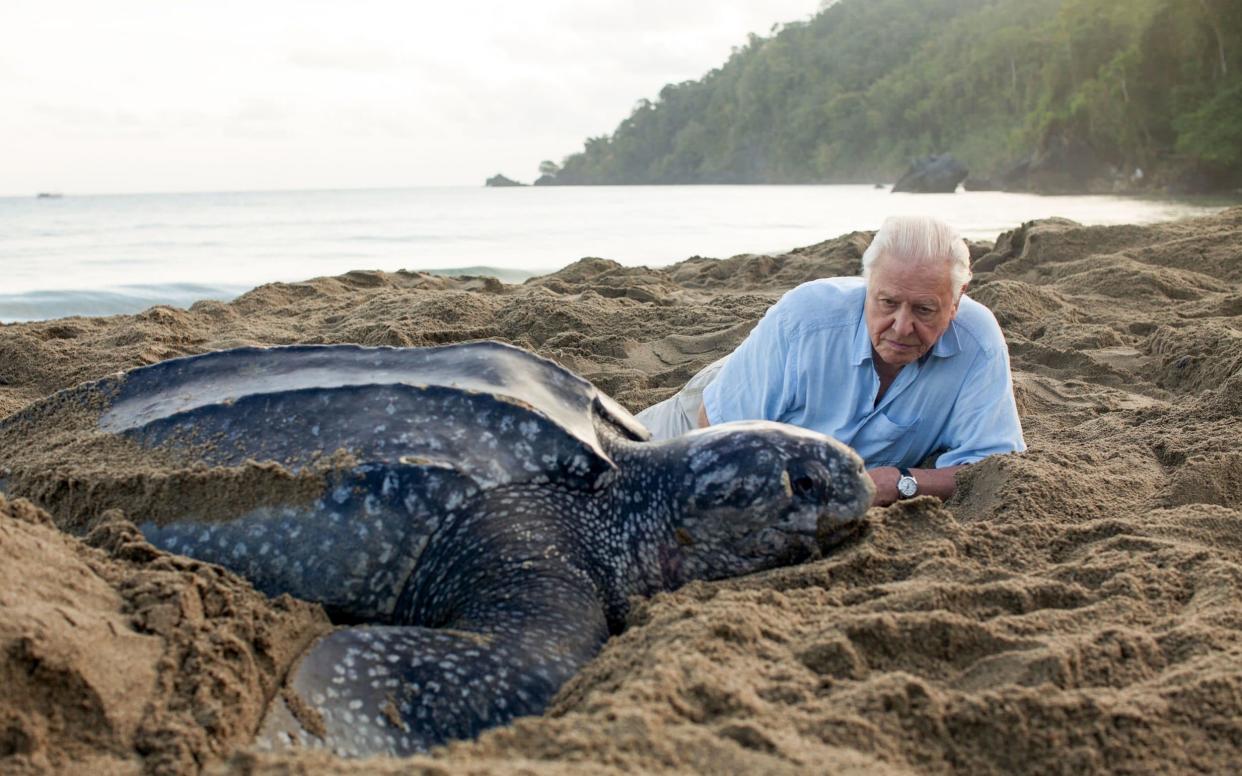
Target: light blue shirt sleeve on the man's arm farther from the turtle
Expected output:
[984,420]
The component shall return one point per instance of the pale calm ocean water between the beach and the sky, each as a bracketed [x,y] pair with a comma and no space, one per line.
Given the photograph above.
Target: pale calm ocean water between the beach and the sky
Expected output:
[121,254]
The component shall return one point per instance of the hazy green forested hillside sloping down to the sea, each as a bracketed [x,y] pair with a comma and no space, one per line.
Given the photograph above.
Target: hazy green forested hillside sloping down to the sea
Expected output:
[1122,94]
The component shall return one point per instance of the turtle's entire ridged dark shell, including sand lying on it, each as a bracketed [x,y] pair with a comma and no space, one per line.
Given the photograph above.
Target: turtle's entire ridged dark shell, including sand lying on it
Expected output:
[394,443]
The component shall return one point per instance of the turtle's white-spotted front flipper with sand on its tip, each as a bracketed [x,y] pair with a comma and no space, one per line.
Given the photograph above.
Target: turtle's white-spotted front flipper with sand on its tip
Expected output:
[399,691]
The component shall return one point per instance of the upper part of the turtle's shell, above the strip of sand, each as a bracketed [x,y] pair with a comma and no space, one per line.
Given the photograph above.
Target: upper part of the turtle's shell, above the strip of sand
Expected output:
[494,413]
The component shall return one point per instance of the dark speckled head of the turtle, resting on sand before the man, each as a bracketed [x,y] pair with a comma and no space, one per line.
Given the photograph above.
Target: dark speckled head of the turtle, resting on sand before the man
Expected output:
[757,495]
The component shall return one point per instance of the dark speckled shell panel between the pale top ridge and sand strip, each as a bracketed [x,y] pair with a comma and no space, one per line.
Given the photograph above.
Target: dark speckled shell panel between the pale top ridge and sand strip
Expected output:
[492,439]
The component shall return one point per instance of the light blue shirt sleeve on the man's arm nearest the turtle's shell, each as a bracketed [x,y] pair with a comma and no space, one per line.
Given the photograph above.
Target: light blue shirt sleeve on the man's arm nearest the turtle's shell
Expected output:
[758,382]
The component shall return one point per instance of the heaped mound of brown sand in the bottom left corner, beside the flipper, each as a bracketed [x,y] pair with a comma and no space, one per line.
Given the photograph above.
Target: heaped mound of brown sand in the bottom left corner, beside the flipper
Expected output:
[119,657]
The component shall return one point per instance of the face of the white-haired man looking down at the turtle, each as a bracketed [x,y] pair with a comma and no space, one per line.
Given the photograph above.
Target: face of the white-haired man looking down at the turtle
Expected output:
[910,306]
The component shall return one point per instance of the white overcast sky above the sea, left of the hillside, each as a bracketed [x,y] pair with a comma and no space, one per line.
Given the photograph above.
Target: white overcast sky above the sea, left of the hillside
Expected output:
[102,96]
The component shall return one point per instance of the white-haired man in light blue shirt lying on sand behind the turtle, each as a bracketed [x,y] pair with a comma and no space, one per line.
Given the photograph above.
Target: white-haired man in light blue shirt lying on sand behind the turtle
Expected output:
[899,364]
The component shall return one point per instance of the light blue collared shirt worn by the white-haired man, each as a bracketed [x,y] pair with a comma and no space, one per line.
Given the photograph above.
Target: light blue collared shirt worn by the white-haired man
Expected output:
[809,363]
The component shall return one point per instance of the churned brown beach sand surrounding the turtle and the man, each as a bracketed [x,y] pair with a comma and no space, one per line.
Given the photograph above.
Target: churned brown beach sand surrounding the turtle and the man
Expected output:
[1076,609]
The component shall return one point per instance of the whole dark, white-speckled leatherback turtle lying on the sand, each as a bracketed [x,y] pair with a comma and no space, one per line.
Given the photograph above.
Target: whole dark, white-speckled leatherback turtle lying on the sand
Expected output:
[478,521]
